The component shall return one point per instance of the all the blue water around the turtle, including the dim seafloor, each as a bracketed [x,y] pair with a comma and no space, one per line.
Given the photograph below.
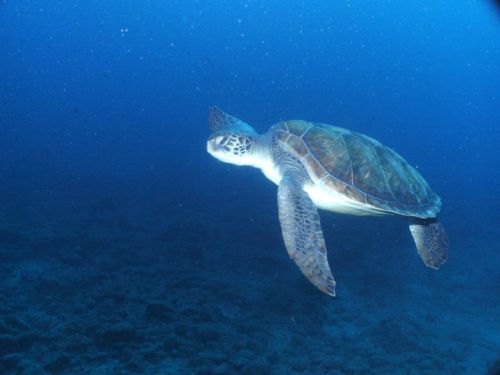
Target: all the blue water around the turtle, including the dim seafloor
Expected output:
[126,249]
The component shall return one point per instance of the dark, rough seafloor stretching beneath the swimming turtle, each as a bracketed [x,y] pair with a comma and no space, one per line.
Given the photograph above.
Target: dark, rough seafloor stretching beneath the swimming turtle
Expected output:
[104,288]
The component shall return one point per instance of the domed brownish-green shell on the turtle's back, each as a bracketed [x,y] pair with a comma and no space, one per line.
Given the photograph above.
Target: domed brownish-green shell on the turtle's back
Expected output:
[359,167]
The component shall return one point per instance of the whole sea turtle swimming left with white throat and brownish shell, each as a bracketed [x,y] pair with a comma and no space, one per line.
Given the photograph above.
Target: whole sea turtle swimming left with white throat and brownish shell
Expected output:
[335,169]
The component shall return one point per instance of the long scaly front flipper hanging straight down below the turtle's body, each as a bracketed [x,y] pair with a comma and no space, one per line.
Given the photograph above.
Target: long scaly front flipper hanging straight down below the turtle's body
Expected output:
[302,233]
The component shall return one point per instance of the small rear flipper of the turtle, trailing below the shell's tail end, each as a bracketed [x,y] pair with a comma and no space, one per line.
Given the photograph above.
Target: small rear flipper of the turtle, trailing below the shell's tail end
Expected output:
[431,241]
